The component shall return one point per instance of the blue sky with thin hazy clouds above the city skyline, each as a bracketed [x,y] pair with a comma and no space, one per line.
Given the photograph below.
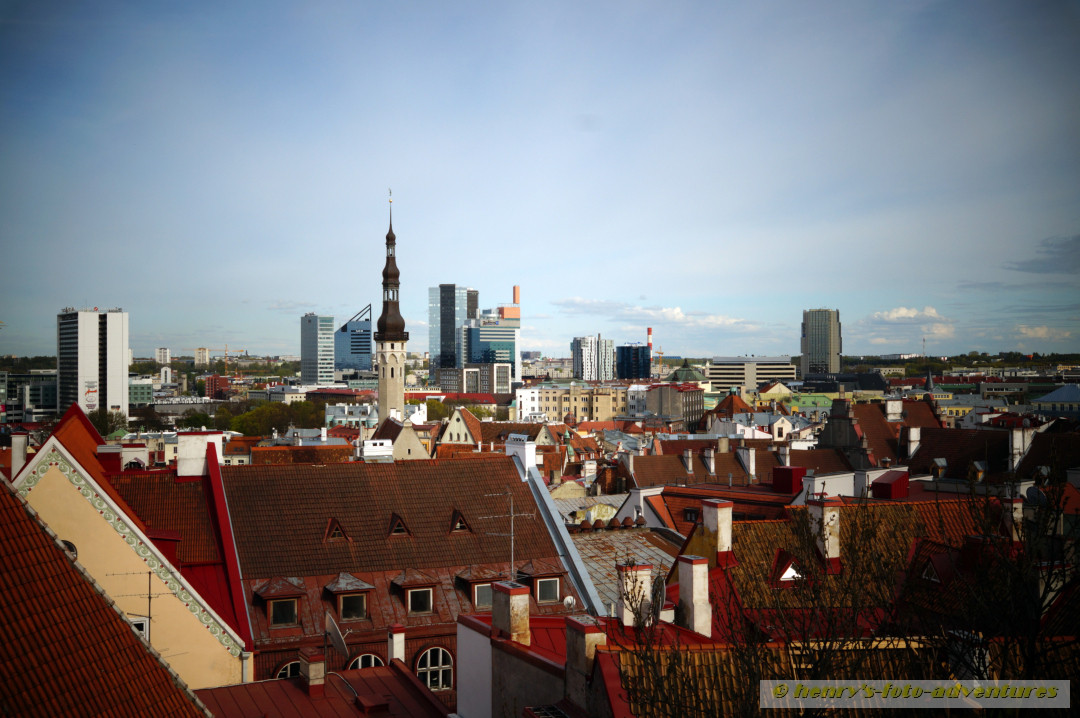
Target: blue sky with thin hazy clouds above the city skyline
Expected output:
[707,169]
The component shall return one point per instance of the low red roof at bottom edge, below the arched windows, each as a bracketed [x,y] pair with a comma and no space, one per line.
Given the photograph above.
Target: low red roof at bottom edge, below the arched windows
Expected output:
[394,685]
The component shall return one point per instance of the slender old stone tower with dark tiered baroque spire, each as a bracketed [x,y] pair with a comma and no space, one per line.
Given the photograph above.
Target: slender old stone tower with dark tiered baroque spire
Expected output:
[390,338]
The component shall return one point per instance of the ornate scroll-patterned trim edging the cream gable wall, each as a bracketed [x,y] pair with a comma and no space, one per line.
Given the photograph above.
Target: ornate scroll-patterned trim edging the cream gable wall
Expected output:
[52,455]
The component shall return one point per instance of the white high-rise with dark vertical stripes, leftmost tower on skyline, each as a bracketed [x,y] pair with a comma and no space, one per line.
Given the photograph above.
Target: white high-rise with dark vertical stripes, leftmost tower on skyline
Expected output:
[92,359]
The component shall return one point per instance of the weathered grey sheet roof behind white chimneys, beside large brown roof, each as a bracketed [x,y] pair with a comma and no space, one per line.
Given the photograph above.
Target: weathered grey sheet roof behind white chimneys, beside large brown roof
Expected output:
[601,550]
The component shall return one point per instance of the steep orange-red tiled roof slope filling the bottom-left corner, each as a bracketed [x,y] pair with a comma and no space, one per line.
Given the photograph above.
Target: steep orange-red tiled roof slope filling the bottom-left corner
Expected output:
[64,648]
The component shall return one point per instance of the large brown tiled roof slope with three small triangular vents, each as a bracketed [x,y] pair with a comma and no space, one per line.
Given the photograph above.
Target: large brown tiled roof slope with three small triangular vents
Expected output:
[279,516]
